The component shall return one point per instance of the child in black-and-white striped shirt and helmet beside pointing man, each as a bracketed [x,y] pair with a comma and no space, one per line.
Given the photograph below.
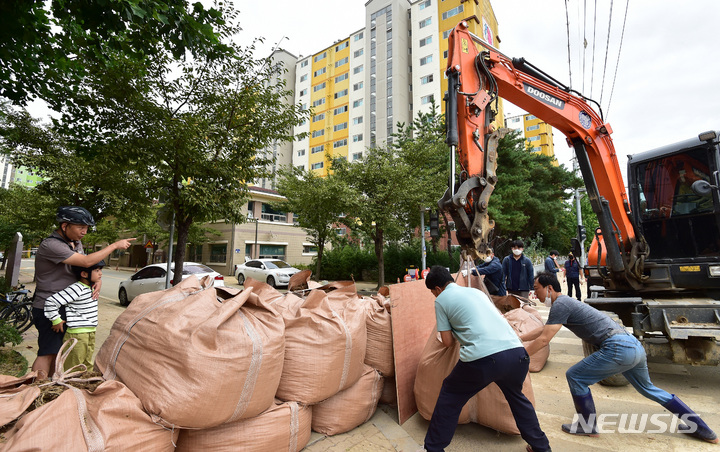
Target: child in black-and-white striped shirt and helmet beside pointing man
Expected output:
[81,313]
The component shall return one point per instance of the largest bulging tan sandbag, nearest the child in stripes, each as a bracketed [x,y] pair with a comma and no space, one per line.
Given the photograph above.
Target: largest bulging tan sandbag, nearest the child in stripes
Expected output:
[194,361]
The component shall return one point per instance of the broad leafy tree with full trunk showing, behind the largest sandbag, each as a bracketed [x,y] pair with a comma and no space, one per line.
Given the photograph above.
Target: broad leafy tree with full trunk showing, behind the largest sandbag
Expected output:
[191,130]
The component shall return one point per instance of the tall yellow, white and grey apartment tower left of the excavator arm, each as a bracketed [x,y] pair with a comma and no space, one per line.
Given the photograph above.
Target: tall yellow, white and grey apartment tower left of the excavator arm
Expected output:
[360,87]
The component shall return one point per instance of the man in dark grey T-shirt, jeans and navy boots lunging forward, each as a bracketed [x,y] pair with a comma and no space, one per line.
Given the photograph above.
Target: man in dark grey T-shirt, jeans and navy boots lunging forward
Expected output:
[619,352]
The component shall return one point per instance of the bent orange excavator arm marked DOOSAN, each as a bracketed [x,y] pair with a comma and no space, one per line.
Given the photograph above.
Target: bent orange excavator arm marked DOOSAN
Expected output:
[477,74]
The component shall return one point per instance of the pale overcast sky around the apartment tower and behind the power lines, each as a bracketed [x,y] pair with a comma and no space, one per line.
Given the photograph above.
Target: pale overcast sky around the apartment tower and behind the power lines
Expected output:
[666,85]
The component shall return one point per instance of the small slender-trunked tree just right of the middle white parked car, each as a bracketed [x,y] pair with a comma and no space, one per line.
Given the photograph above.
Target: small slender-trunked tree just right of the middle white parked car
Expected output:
[315,202]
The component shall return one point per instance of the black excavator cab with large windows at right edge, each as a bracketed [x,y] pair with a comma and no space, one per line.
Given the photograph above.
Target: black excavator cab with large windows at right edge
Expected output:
[676,203]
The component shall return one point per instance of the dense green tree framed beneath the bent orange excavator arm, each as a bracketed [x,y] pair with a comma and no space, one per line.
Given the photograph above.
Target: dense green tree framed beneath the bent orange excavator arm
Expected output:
[532,195]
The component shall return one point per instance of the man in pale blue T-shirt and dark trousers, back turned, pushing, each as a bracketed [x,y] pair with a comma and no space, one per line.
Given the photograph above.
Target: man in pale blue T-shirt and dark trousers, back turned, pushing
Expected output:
[490,351]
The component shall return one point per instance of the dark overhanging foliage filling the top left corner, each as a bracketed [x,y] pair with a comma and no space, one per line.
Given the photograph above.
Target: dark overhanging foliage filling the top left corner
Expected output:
[43,44]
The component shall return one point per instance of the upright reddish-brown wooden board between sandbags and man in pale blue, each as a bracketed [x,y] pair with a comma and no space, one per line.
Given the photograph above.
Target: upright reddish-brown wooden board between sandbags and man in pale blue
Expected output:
[413,320]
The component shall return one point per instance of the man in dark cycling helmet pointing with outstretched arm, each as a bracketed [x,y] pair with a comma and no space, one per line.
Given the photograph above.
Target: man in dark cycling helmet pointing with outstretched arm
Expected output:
[55,256]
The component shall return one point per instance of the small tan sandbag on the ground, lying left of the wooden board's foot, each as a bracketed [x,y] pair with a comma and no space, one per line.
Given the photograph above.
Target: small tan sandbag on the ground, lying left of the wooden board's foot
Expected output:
[349,408]
